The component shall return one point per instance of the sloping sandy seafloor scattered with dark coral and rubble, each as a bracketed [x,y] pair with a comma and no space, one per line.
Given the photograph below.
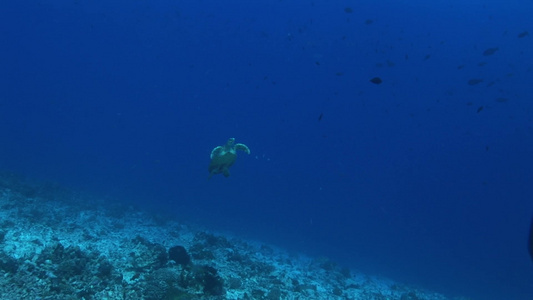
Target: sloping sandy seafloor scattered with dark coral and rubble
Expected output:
[56,244]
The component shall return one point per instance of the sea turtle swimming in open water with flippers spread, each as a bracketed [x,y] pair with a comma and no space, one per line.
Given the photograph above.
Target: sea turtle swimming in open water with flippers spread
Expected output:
[223,157]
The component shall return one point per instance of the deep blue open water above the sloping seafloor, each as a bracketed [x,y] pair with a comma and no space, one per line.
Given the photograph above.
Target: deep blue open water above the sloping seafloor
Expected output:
[423,178]
